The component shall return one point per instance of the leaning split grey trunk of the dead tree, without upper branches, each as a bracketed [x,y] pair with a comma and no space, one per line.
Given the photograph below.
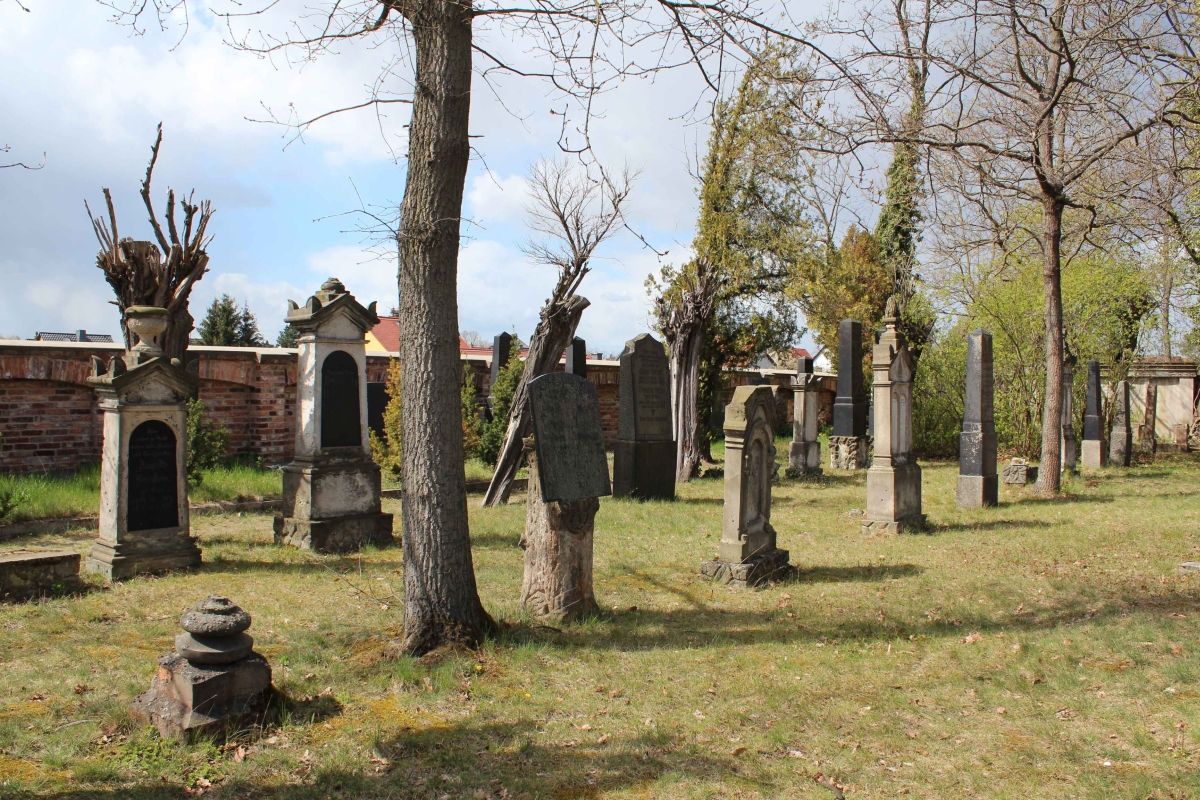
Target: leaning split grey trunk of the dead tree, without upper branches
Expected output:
[554,334]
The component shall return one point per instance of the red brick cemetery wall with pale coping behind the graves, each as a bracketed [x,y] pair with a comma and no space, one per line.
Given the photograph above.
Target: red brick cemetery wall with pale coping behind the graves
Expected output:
[50,420]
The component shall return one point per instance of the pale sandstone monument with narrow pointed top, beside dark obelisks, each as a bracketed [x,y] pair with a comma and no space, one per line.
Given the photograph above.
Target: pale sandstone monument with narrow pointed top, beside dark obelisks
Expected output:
[893,483]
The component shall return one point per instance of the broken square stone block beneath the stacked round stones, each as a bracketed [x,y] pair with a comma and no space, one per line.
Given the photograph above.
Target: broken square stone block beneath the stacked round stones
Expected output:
[188,701]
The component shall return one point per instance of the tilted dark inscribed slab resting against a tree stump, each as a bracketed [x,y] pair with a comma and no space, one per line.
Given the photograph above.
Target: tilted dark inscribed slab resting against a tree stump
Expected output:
[568,438]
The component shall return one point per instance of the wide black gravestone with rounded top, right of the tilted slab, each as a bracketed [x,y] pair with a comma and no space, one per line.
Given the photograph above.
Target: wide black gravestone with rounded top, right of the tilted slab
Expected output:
[645,454]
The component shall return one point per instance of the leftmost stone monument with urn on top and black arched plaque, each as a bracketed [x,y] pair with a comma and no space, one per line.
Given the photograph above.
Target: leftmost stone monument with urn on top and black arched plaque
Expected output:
[143,476]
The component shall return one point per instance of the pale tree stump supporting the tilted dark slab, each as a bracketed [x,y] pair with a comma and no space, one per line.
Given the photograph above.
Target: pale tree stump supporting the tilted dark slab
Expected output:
[557,544]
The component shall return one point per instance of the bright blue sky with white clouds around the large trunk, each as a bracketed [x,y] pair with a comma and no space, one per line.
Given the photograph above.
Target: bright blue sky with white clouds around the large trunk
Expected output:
[83,100]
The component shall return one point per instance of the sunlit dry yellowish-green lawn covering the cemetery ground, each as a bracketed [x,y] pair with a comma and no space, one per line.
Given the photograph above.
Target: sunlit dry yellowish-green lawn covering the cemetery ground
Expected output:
[1041,649]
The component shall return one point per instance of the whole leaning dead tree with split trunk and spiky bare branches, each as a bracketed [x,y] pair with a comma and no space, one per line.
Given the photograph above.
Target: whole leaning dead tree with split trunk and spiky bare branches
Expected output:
[577,214]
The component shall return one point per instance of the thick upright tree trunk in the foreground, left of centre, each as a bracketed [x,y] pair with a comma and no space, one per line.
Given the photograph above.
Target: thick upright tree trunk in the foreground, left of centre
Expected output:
[441,600]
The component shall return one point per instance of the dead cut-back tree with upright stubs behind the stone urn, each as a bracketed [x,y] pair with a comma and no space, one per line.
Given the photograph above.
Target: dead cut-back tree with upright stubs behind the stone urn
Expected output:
[139,272]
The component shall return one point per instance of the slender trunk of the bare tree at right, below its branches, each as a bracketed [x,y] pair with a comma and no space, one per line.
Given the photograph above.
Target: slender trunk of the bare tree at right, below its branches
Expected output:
[1049,479]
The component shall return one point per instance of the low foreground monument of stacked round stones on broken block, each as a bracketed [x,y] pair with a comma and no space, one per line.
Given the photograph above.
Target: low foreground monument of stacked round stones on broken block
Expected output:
[214,683]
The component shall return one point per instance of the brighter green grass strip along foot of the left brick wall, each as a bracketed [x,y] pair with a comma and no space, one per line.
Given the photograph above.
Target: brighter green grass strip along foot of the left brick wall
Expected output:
[46,497]
